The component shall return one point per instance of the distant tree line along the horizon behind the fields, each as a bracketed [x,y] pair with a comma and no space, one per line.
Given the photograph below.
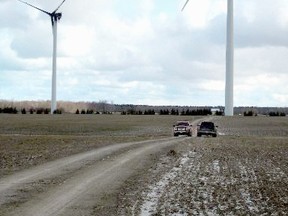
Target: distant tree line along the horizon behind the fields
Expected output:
[105,107]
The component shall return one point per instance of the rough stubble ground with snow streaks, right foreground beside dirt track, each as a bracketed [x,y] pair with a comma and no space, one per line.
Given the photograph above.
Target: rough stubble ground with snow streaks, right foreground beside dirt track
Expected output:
[228,176]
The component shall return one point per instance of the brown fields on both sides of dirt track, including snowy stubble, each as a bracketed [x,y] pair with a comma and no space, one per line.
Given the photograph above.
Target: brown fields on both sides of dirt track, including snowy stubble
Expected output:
[244,171]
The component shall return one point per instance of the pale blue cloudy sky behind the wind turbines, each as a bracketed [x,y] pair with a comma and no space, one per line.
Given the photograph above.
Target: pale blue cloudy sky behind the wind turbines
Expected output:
[145,51]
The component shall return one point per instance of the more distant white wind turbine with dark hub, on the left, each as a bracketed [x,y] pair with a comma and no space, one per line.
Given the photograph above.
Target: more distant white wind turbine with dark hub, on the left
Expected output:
[55,17]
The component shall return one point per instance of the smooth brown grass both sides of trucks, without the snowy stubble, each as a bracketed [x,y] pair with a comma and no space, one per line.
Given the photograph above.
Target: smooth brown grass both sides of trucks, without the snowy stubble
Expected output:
[27,140]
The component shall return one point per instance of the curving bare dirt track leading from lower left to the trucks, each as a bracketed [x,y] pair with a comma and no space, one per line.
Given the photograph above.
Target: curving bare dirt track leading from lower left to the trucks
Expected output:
[88,174]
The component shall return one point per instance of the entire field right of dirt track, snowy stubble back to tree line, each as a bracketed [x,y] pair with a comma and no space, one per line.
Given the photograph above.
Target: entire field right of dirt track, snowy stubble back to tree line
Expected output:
[242,172]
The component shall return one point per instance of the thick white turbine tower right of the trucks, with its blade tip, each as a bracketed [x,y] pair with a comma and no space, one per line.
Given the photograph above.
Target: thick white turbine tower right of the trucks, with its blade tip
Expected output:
[229,111]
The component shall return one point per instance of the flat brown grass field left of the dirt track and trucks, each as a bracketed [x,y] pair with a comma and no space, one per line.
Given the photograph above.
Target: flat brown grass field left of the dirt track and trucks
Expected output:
[27,140]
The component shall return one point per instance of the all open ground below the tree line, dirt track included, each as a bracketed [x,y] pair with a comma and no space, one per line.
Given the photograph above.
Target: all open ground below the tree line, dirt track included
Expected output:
[244,171]
